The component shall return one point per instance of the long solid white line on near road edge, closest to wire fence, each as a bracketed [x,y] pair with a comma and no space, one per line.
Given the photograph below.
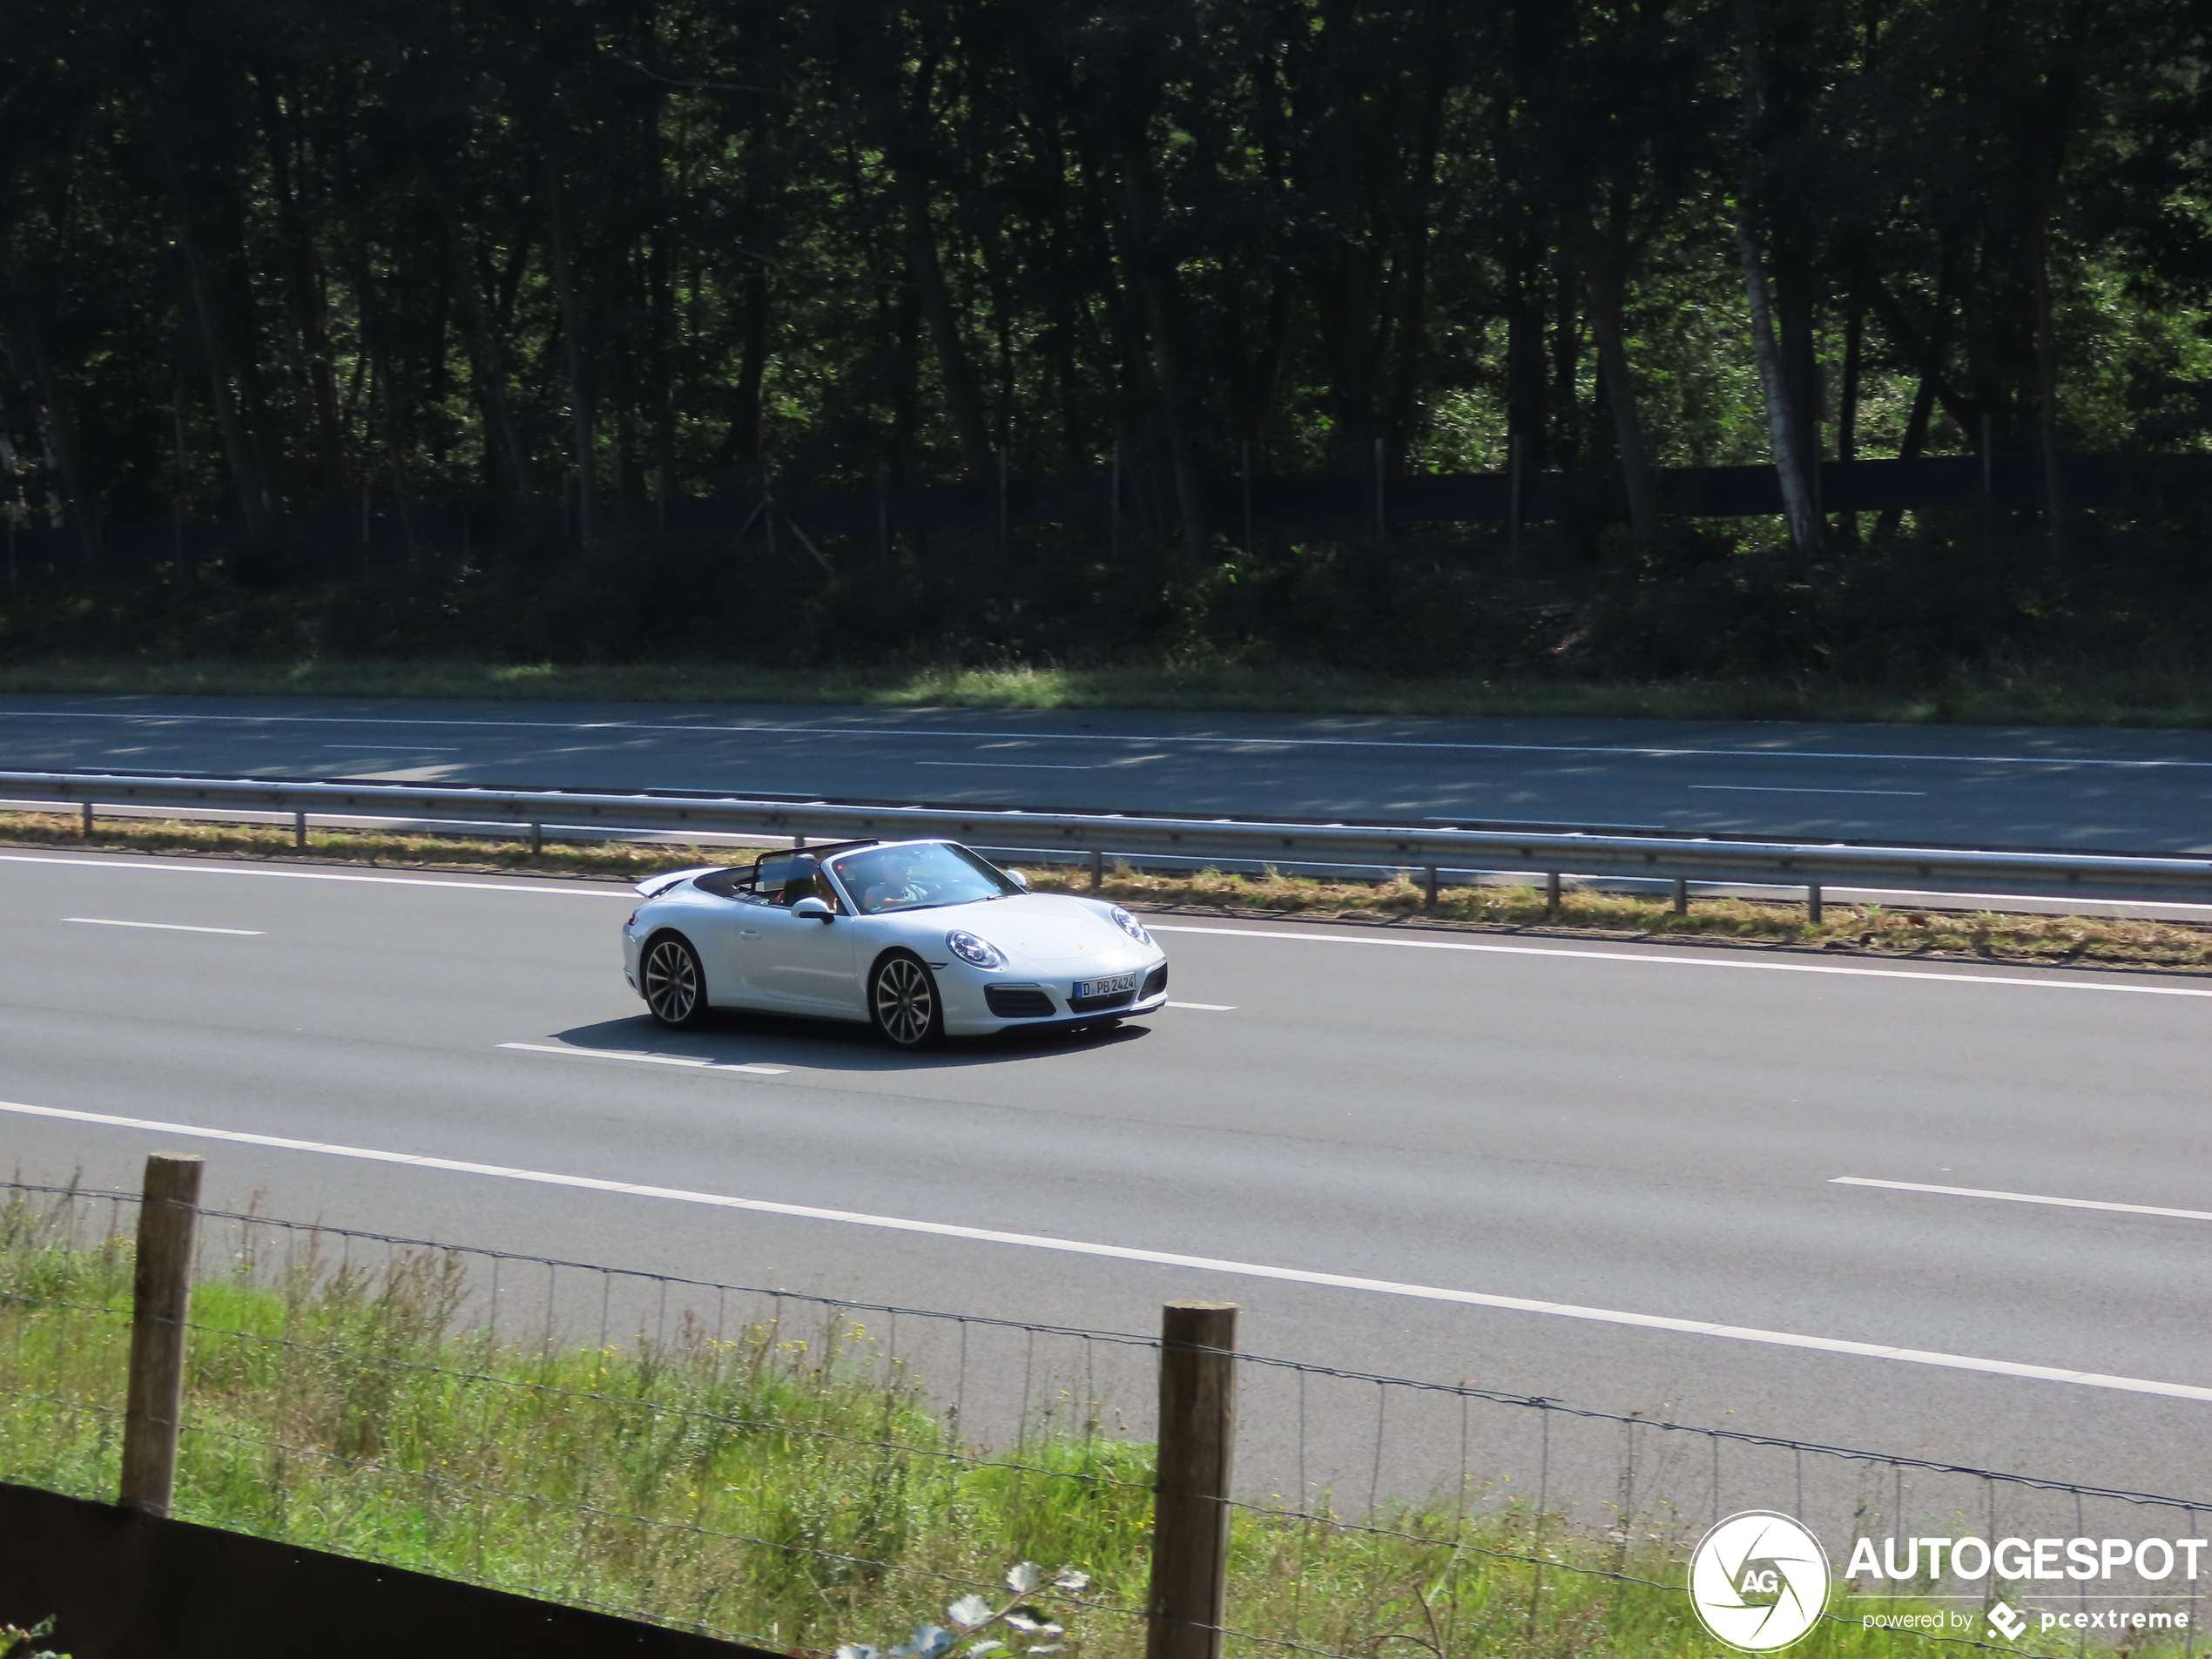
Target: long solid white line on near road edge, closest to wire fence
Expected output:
[1151,1258]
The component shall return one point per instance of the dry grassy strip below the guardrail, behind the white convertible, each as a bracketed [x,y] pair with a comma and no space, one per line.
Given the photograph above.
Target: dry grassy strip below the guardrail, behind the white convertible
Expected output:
[1585,912]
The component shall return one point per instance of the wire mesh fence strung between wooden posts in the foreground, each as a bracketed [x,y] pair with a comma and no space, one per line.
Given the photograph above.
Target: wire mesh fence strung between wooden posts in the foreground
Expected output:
[804,1472]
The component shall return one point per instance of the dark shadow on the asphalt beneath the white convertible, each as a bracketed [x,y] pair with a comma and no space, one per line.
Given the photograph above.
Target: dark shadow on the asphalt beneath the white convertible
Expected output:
[828,1045]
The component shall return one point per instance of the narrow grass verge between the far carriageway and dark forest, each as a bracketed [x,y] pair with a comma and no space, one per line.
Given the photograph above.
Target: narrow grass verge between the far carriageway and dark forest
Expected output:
[2036,696]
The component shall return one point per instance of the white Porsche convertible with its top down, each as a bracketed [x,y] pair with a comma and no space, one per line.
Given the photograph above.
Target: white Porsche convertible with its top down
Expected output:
[921,939]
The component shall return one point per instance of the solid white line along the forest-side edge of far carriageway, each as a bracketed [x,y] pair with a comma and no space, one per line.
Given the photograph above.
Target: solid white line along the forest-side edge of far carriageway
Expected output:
[1092,738]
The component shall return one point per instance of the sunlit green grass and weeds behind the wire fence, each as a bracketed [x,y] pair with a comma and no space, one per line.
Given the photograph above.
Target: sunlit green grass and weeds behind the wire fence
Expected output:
[786,1483]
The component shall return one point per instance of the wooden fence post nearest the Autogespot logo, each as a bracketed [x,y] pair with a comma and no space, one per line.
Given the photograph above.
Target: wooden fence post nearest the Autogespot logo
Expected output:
[1191,1514]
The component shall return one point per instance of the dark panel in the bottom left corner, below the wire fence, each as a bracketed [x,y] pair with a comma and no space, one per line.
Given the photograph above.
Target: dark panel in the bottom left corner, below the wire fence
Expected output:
[132,1587]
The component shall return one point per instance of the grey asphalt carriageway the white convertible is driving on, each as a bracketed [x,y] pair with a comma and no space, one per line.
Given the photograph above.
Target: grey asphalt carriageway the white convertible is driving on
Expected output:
[1642,1134]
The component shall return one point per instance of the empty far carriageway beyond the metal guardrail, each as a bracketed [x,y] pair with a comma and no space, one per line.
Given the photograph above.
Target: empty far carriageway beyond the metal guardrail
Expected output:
[1983,786]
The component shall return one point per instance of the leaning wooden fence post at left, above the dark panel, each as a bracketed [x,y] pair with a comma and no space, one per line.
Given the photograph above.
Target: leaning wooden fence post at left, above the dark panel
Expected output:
[154,1410]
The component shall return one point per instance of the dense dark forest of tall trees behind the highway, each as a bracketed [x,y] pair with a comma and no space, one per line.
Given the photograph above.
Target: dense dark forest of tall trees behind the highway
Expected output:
[275,260]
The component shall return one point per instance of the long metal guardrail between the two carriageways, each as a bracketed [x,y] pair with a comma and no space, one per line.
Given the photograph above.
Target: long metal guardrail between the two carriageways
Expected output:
[1154,839]
